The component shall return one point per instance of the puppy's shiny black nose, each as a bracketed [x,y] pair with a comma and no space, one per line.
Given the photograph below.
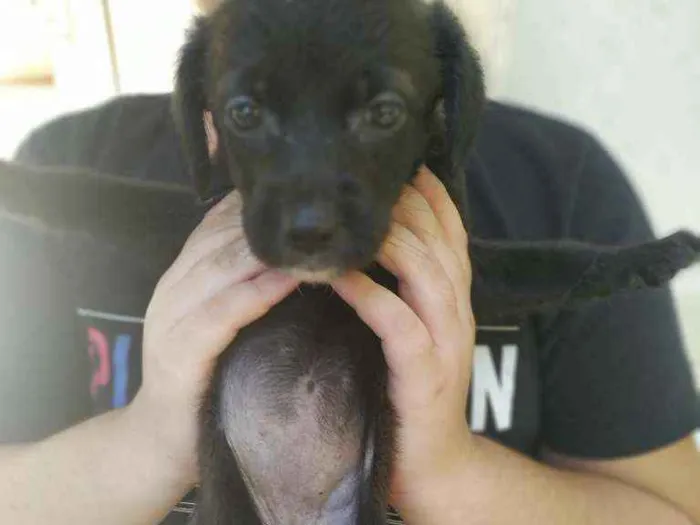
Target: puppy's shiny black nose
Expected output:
[311,228]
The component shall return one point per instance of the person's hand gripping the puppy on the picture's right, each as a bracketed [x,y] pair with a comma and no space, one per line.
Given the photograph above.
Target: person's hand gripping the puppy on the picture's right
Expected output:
[428,336]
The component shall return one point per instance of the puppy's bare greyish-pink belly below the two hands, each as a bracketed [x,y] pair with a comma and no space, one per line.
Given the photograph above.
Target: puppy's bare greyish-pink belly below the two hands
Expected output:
[291,416]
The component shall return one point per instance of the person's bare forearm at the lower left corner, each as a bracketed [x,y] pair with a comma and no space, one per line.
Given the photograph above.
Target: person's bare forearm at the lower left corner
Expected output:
[108,470]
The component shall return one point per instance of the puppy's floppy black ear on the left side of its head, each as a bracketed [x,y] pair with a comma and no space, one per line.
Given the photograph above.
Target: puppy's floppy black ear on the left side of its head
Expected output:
[190,108]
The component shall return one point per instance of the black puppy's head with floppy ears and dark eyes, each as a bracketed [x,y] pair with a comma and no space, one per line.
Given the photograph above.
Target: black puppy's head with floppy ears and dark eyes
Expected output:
[319,113]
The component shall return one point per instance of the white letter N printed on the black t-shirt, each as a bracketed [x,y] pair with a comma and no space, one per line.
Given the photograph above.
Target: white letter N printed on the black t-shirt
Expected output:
[487,386]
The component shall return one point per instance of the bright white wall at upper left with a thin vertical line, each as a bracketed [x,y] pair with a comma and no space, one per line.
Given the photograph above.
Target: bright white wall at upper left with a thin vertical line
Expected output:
[93,65]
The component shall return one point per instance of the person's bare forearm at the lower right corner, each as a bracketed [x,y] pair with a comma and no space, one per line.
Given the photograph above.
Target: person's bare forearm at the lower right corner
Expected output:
[497,486]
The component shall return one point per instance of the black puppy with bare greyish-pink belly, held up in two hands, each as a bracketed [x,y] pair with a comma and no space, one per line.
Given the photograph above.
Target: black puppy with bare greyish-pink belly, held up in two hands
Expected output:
[319,112]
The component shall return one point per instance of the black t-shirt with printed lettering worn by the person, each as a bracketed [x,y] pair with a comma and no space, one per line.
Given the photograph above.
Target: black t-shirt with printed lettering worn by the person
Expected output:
[607,380]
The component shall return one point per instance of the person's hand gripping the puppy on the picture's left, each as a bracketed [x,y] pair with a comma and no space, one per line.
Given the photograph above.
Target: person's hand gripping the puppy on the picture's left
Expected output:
[213,289]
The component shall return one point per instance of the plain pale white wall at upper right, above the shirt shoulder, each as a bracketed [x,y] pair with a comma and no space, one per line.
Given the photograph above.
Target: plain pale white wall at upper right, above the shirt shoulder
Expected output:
[629,69]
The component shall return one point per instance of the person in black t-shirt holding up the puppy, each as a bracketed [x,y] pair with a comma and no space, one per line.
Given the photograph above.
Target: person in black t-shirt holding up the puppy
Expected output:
[583,417]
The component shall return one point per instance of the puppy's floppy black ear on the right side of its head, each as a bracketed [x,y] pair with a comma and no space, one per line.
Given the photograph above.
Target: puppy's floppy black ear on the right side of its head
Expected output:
[462,92]
